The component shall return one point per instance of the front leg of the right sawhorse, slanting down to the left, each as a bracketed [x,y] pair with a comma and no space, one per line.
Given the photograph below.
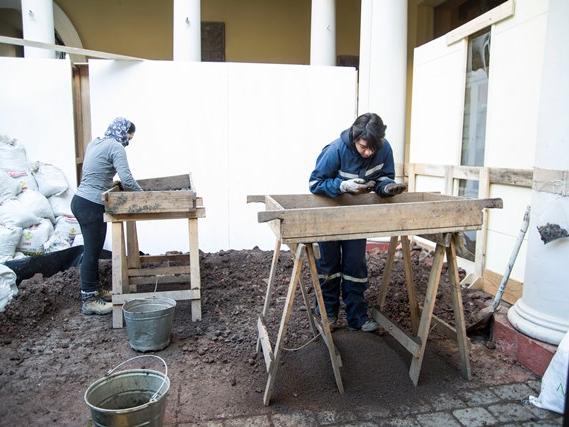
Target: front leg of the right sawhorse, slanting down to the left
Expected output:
[426,315]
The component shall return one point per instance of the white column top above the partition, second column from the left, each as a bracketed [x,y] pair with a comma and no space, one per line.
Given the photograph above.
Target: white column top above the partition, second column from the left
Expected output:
[187,30]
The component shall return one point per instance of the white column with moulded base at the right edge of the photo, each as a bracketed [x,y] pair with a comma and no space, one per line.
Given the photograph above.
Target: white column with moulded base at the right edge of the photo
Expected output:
[543,310]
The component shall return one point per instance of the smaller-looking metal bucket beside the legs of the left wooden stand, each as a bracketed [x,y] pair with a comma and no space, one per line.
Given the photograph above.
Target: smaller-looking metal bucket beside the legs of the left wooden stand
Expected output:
[149,322]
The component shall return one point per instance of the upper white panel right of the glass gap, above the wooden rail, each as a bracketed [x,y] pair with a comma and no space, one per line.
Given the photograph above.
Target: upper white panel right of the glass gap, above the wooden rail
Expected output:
[516,66]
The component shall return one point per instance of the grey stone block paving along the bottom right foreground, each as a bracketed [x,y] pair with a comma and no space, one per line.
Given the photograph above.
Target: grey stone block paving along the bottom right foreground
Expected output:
[503,405]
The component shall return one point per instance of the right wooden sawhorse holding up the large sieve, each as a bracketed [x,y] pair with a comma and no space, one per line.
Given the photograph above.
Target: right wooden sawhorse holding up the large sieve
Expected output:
[421,319]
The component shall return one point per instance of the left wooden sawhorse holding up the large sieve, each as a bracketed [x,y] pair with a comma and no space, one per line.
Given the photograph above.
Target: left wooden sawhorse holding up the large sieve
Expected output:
[320,324]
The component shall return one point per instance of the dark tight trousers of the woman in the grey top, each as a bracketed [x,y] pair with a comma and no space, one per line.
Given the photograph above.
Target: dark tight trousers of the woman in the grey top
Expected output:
[94,230]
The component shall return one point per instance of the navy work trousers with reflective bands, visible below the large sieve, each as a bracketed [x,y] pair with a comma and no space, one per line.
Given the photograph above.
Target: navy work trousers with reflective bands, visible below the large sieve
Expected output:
[343,263]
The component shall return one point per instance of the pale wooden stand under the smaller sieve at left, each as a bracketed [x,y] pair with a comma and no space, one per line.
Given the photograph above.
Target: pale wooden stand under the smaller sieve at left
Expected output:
[130,269]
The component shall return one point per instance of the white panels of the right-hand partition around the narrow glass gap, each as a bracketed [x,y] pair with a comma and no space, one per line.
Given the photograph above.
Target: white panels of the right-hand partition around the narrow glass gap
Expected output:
[516,67]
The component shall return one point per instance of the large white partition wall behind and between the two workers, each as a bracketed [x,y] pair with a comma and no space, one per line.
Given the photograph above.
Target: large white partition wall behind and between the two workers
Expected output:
[239,128]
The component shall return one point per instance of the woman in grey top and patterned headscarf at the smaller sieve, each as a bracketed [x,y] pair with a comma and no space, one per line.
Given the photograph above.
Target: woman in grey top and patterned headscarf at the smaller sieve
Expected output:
[104,158]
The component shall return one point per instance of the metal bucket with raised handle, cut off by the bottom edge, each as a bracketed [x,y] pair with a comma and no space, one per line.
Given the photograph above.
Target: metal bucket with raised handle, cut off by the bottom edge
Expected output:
[133,398]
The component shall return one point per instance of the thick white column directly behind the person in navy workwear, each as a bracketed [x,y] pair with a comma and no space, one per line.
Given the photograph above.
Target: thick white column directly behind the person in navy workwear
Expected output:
[383,67]
